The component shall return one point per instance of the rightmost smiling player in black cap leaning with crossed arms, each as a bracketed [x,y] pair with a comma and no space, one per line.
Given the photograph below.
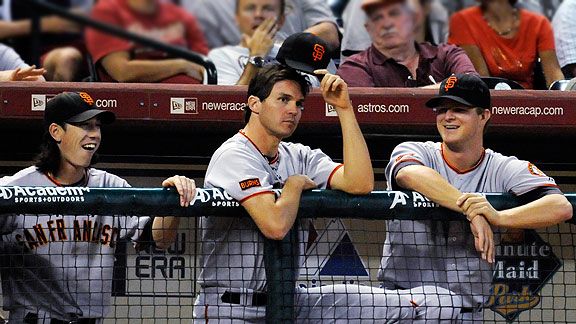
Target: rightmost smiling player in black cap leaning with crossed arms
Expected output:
[457,254]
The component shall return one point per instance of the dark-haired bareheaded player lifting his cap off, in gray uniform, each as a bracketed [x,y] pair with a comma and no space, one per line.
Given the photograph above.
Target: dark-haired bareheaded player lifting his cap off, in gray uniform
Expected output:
[249,166]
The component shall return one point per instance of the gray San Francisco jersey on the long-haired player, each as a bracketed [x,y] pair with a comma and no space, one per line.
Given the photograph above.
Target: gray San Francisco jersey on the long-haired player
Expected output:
[61,264]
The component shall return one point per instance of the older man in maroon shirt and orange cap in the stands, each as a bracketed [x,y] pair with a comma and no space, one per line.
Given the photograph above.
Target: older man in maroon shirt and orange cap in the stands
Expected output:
[395,59]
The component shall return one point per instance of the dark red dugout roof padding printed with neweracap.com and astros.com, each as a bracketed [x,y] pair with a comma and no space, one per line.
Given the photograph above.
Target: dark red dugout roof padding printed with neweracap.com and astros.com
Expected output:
[378,110]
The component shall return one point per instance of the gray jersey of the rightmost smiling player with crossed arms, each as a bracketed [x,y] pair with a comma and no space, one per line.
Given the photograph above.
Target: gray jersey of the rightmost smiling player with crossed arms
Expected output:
[436,252]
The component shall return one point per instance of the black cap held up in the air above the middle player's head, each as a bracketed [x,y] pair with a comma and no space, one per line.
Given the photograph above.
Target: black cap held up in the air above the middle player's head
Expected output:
[304,52]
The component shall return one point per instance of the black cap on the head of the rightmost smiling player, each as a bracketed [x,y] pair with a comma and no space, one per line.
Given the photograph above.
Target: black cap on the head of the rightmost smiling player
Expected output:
[467,89]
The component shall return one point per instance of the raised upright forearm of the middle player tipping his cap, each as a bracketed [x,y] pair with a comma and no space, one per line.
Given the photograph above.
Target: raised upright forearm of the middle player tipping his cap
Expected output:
[358,172]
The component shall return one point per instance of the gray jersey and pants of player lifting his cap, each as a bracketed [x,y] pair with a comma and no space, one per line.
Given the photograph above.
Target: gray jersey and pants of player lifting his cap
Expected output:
[232,248]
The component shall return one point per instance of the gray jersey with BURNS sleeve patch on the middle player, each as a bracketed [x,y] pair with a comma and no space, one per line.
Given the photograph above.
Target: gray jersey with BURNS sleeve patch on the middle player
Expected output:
[232,248]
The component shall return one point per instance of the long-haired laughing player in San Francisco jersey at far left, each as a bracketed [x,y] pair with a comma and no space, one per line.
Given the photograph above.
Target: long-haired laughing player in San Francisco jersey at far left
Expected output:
[58,268]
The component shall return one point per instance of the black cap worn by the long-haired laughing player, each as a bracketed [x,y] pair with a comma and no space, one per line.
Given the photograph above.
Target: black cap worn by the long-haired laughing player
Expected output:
[74,107]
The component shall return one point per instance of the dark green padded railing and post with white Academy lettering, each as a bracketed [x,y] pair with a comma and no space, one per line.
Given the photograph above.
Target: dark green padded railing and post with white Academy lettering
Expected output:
[279,255]
